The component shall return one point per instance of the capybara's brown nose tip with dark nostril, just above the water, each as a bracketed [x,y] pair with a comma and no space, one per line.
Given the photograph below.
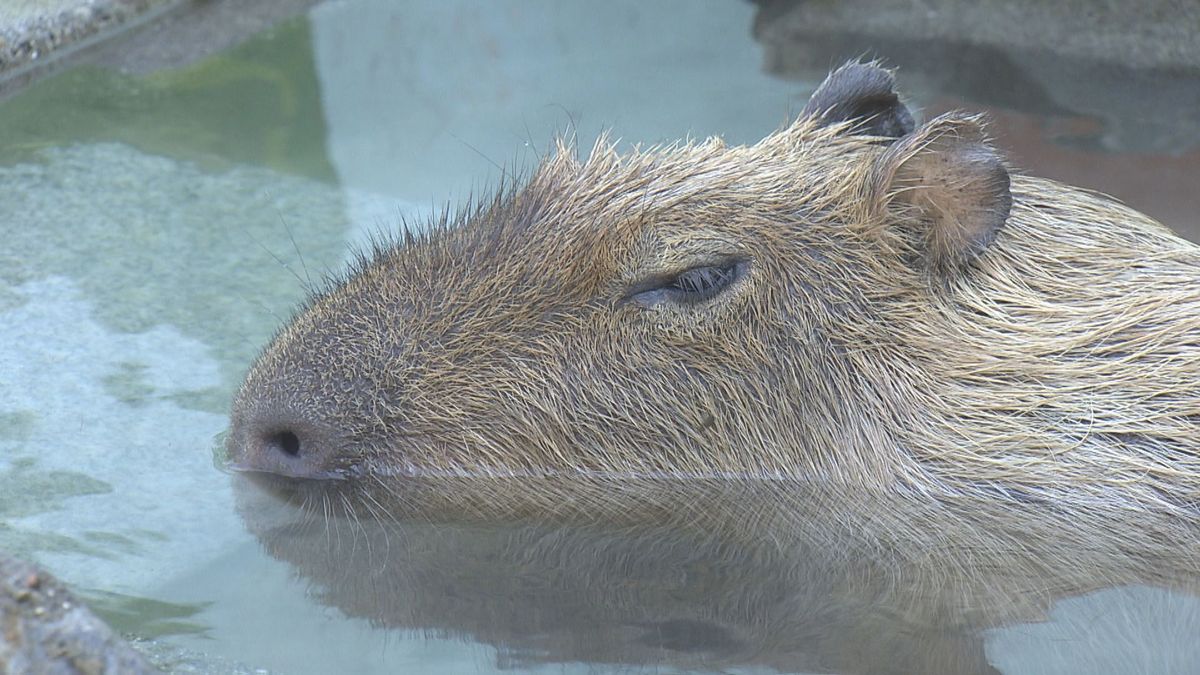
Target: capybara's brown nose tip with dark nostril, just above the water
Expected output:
[284,446]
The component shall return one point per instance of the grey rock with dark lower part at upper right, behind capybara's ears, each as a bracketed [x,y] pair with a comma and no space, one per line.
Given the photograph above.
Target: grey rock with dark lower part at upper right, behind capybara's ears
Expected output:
[1101,61]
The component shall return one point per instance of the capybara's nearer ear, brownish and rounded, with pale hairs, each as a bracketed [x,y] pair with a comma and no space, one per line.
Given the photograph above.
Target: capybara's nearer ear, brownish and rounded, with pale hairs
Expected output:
[946,182]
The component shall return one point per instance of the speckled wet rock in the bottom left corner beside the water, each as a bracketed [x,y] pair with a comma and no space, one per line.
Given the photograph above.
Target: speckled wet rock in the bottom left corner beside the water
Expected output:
[44,629]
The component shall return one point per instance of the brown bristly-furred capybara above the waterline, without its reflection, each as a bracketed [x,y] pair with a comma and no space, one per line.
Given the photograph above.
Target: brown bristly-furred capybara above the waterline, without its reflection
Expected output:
[853,301]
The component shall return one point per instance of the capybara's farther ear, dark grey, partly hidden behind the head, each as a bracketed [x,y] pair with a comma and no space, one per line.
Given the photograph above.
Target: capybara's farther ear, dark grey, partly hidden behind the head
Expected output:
[863,94]
